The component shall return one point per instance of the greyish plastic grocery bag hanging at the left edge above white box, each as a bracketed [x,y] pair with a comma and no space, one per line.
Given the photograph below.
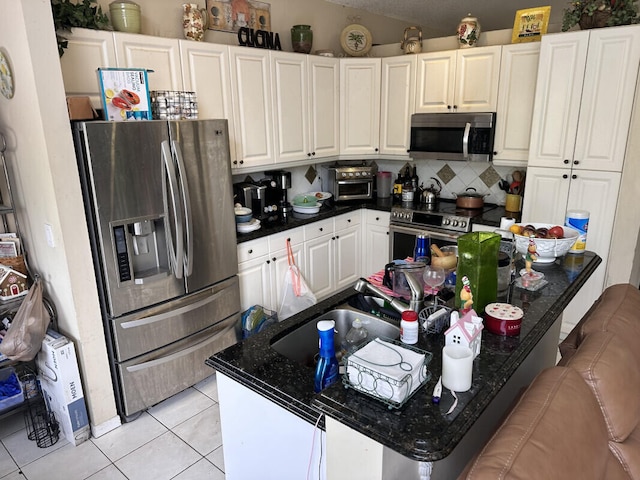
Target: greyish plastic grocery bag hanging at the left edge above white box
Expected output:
[24,337]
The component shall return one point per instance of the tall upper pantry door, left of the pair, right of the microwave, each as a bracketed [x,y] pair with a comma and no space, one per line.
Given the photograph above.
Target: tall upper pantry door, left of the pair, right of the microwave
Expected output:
[558,94]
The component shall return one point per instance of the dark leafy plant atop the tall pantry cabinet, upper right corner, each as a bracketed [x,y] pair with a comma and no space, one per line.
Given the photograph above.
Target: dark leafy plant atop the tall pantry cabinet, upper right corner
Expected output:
[600,13]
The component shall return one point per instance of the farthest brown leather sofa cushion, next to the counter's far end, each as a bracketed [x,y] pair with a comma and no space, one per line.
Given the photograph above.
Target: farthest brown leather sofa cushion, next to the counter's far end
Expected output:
[616,310]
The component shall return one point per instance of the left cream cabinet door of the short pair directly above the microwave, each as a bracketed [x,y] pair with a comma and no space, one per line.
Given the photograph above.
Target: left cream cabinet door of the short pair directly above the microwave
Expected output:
[435,82]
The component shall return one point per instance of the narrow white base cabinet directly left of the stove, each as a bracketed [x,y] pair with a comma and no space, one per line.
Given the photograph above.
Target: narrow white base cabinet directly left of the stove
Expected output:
[376,241]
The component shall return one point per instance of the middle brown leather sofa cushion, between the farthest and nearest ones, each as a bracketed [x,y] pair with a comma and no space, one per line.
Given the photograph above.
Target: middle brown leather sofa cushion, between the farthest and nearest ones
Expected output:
[609,365]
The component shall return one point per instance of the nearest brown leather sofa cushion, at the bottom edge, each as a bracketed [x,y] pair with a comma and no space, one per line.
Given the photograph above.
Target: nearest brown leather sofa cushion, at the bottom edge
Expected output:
[556,430]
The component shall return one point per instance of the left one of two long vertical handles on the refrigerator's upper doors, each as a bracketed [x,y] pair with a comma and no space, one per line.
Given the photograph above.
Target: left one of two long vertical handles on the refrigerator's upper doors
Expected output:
[176,251]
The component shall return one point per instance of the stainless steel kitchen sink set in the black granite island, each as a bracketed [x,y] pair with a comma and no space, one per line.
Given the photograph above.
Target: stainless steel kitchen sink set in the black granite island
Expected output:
[301,345]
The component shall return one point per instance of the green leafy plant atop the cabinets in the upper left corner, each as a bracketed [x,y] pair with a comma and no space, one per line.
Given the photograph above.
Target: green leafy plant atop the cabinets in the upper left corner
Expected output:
[67,15]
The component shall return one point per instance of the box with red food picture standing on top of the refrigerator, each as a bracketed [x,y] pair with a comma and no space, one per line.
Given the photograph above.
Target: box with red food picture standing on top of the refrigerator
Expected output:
[125,94]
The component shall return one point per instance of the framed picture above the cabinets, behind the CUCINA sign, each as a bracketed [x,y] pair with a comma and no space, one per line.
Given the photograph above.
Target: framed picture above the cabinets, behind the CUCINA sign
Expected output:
[230,15]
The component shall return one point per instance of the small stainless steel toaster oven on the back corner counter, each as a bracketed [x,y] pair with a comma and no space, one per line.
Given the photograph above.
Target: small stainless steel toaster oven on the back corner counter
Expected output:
[352,181]
